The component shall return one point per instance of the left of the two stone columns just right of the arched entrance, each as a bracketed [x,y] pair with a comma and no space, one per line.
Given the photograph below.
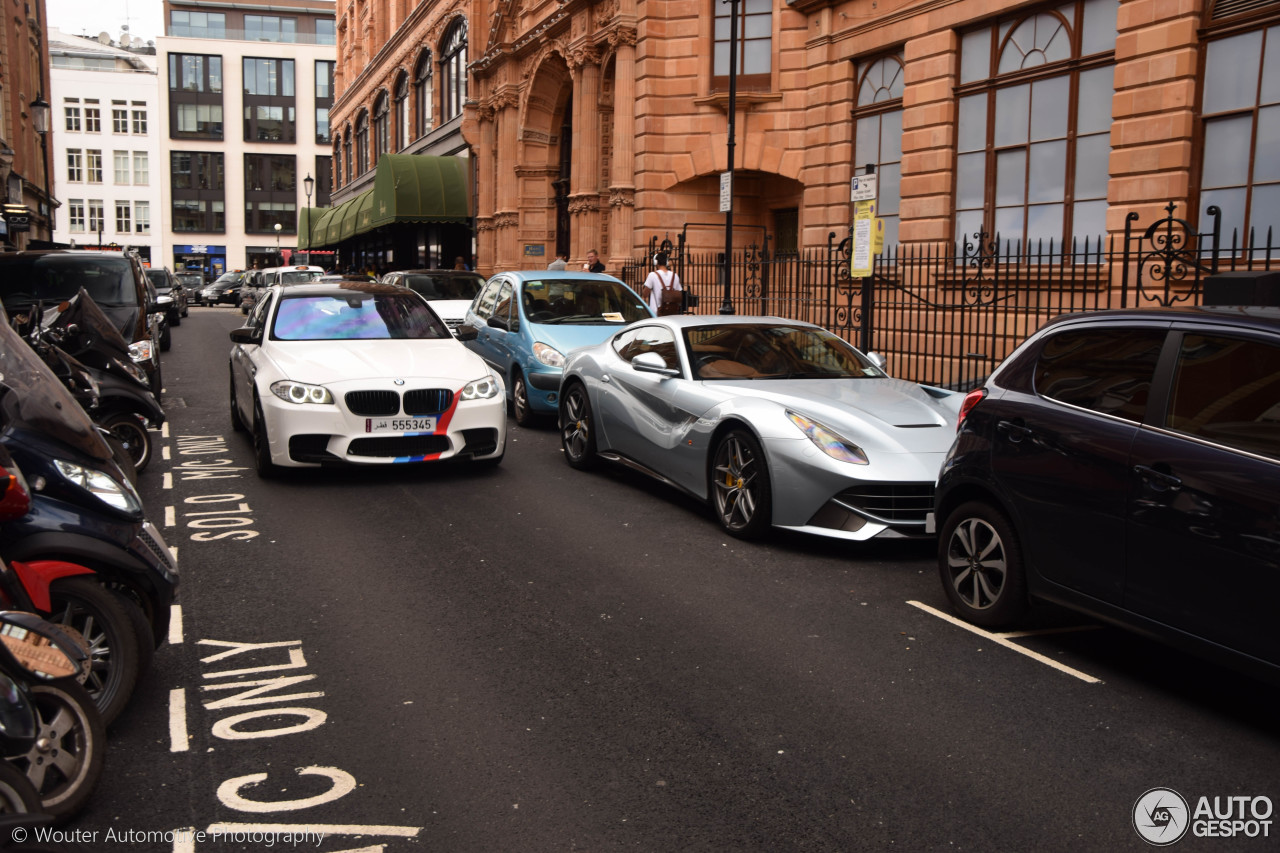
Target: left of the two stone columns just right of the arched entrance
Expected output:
[586,170]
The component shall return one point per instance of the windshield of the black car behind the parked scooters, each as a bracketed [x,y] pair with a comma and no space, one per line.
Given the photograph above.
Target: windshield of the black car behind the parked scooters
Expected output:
[54,279]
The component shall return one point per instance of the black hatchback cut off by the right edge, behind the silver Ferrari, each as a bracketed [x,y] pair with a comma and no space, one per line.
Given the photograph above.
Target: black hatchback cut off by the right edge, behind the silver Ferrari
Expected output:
[1127,466]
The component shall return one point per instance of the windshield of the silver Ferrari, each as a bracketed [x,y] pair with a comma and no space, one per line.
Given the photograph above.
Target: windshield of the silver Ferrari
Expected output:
[762,352]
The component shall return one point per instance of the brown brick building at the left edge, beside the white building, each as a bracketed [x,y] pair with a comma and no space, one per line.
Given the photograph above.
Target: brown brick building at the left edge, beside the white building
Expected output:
[26,183]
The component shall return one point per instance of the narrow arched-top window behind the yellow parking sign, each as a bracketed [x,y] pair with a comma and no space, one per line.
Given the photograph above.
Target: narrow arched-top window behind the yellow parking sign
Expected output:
[879,134]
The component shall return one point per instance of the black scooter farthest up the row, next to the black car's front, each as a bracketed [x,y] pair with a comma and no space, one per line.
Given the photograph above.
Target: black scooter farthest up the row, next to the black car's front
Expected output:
[81,346]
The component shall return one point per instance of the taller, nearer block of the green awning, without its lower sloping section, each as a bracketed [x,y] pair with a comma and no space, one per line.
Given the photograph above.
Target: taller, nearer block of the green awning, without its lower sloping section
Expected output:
[410,188]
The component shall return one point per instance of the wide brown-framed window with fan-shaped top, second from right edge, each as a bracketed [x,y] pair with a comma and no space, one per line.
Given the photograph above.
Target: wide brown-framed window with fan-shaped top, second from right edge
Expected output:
[1035,122]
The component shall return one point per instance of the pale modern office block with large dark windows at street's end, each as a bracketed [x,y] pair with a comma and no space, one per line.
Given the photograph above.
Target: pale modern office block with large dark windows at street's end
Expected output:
[244,110]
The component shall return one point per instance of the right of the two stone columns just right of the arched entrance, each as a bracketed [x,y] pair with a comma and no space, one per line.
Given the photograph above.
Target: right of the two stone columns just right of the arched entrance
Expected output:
[623,189]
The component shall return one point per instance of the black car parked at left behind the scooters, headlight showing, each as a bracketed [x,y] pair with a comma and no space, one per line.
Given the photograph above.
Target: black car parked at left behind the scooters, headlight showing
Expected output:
[117,284]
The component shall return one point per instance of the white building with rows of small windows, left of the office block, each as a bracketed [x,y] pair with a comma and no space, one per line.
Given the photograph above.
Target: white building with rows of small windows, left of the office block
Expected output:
[107,139]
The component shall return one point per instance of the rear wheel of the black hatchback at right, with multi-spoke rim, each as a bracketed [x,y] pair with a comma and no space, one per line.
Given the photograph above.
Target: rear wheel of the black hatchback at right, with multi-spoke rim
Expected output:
[981,564]
